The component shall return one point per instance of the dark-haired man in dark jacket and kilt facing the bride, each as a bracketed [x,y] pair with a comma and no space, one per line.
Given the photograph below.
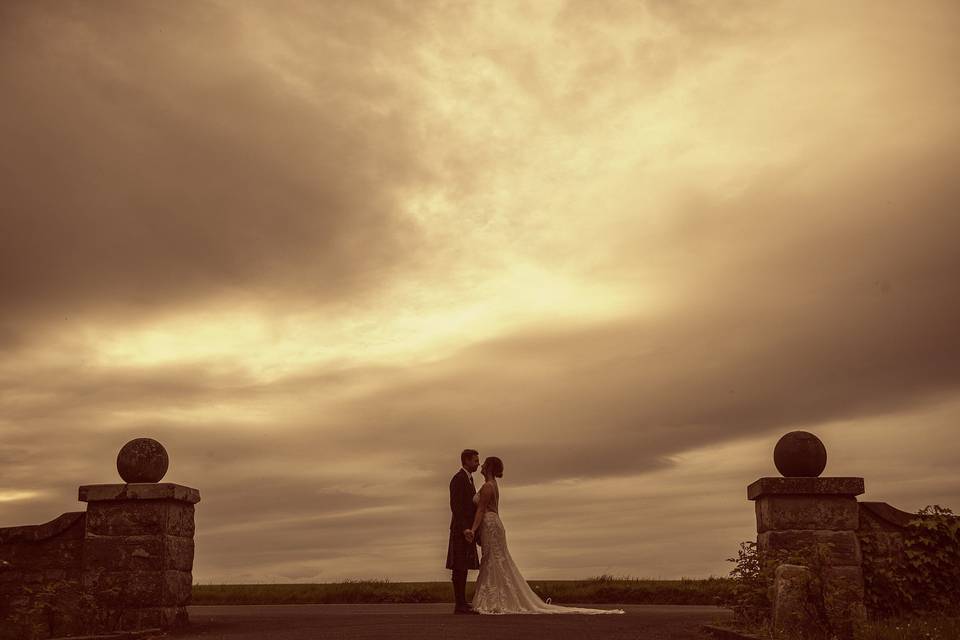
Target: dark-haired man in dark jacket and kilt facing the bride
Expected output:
[462,550]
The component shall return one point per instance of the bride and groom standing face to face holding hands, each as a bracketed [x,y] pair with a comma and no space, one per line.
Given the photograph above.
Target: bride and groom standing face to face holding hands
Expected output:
[476,519]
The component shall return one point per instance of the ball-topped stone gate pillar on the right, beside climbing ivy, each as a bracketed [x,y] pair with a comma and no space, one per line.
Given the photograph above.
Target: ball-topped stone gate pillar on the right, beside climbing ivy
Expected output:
[815,519]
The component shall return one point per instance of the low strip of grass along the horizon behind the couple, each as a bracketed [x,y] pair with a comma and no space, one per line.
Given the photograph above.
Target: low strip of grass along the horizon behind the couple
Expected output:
[599,590]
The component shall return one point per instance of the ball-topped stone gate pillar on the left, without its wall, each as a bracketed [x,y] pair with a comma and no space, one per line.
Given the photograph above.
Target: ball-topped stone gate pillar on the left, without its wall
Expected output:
[138,545]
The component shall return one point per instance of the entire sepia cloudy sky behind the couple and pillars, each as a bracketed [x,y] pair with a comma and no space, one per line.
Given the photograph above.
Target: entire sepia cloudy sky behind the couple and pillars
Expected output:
[316,249]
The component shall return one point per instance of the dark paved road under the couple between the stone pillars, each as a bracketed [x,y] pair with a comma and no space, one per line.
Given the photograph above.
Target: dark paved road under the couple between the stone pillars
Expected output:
[436,622]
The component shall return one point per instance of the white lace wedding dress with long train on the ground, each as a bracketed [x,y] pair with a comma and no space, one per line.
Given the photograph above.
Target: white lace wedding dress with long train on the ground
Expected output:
[500,587]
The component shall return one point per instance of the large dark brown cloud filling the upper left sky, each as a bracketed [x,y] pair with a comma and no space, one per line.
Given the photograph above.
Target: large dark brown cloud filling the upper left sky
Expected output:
[152,157]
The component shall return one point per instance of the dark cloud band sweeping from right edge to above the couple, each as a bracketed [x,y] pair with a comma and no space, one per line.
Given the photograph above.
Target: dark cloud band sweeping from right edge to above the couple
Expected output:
[841,303]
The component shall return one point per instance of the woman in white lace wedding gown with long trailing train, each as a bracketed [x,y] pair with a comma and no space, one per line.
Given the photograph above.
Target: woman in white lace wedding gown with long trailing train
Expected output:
[500,587]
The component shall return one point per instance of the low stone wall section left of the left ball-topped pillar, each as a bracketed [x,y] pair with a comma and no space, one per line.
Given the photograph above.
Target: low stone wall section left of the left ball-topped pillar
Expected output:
[40,577]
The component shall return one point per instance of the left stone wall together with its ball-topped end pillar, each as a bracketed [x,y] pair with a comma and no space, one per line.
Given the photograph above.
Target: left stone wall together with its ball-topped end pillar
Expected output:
[124,564]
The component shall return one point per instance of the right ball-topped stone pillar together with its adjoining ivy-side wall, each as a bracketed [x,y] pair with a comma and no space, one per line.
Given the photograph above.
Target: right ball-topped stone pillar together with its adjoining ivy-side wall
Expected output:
[835,554]
